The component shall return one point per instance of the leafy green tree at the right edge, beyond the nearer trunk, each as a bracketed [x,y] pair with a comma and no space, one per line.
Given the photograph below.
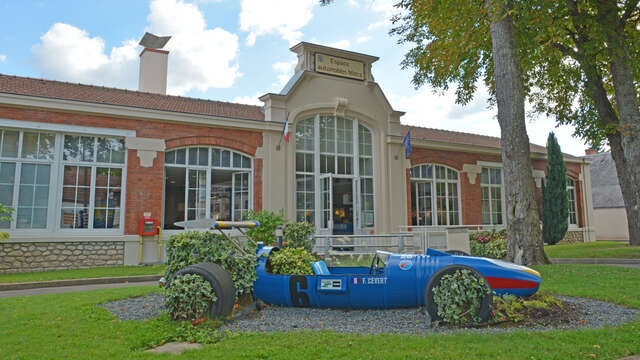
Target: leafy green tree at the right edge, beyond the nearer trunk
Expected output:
[582,61]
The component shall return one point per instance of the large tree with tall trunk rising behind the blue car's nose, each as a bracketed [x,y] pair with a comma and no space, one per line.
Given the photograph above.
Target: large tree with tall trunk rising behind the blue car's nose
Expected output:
[462,41]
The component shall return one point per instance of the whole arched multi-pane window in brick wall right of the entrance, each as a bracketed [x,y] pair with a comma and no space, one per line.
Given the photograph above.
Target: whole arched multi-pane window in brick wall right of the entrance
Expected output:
[434,194]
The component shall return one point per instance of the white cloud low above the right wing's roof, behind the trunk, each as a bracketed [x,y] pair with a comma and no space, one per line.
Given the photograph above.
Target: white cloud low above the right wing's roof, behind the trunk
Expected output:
[427,109]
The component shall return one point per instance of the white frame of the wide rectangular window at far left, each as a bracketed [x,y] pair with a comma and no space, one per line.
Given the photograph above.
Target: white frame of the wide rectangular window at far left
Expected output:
[57,172]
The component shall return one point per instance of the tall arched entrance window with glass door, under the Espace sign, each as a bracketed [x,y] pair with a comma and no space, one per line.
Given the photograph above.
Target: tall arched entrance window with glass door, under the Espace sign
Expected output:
[334,174]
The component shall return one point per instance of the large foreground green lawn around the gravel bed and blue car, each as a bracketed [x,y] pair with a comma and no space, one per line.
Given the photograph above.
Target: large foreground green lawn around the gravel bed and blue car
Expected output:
[70,326]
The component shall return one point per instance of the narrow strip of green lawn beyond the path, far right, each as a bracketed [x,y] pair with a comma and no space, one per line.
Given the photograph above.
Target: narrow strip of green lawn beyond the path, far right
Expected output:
[597,249]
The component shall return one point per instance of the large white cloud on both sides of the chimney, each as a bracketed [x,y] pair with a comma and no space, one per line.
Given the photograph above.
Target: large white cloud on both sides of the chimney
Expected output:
[200,58]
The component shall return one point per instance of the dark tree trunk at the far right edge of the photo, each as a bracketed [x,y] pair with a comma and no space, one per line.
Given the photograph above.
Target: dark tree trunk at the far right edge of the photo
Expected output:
[625,148]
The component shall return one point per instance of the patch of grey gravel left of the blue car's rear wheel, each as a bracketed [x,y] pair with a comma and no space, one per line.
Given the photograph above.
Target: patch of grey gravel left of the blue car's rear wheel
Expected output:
[136,308]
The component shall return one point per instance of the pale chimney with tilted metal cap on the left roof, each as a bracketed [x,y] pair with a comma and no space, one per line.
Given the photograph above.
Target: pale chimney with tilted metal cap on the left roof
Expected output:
[153,64]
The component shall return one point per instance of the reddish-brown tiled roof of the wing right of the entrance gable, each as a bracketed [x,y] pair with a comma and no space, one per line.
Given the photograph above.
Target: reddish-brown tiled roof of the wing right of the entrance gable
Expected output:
[464,138]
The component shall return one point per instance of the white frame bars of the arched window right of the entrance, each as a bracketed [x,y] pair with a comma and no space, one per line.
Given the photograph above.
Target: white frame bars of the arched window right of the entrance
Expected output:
[434,196]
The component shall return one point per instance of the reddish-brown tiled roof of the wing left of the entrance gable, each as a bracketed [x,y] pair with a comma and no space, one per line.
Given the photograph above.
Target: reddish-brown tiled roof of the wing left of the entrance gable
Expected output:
[112,96]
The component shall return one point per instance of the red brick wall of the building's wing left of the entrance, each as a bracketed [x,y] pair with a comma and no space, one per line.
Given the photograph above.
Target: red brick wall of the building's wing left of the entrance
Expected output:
[144,189]
